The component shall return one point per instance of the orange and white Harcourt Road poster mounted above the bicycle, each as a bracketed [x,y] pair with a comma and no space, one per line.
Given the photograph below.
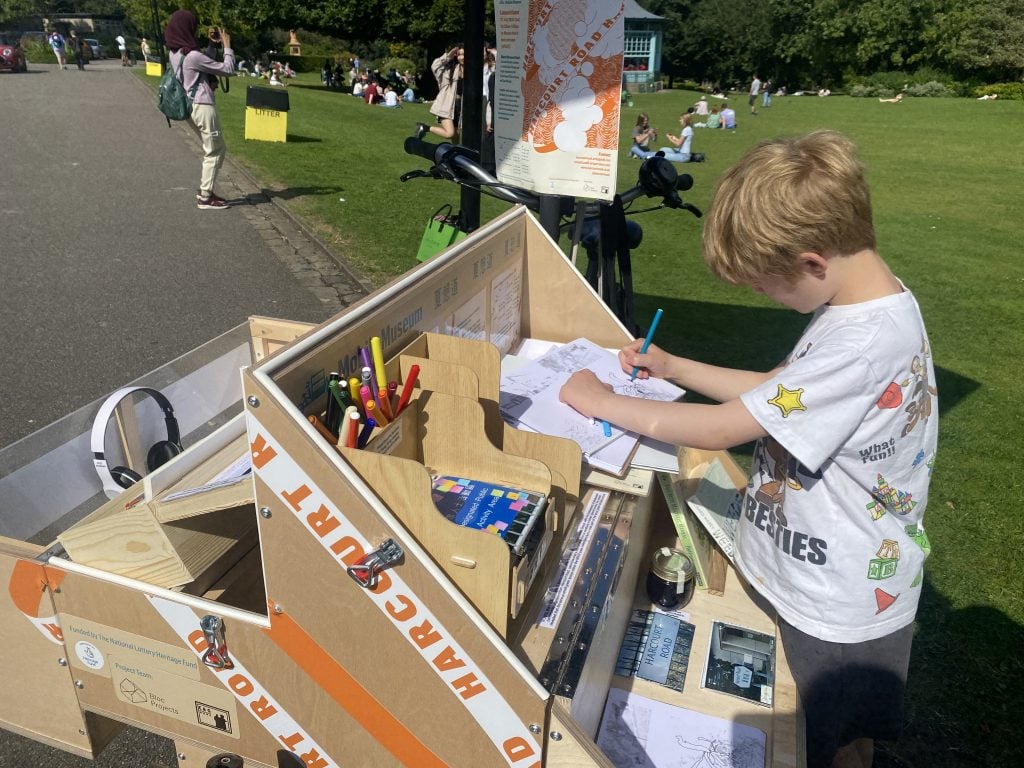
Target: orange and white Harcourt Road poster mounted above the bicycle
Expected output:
[559,87]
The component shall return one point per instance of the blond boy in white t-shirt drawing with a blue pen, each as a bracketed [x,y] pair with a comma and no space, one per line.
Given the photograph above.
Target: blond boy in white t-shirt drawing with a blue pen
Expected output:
[846,430]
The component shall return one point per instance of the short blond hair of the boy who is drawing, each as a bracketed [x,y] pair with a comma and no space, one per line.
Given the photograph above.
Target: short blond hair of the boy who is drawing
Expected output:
[785,198]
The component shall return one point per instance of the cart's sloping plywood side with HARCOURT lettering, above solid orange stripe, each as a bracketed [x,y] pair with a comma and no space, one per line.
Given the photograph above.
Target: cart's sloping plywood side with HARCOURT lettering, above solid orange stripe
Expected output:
[414,641]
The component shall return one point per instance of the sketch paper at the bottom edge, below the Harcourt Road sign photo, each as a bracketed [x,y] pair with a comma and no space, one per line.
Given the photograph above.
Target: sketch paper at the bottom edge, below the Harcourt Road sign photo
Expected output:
[641,732]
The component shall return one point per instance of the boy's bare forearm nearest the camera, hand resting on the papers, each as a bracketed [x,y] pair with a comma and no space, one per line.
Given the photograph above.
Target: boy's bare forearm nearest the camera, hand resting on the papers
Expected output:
[707,428]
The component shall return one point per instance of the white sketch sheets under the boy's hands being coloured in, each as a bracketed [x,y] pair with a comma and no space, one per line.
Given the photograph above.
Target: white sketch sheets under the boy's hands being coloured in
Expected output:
[530,394]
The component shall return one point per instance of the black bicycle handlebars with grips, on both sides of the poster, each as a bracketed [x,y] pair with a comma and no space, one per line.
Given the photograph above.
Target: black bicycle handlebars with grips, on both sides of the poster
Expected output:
[658,177]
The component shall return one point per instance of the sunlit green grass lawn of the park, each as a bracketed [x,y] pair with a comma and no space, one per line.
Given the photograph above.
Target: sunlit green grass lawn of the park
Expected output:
[947,184]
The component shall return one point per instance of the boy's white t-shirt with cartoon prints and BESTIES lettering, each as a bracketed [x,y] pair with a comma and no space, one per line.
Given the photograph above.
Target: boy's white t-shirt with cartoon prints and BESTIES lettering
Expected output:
[831,532]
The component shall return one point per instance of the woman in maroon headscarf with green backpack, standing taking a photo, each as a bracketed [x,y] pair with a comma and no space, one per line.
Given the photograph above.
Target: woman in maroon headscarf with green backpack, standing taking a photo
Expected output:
[198,72]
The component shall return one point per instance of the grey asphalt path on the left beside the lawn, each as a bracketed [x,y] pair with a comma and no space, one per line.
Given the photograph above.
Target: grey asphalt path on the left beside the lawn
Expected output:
[108,271]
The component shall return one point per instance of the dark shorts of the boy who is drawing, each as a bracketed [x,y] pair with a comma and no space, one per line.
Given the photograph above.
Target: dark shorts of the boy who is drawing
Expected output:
[848,691]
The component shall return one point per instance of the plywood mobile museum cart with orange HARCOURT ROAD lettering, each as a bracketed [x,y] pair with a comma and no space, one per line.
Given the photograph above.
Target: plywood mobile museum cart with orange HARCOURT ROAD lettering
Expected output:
[324,608]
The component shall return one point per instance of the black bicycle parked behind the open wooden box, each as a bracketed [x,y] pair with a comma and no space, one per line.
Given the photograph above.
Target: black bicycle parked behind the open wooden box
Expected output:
[602,228]
